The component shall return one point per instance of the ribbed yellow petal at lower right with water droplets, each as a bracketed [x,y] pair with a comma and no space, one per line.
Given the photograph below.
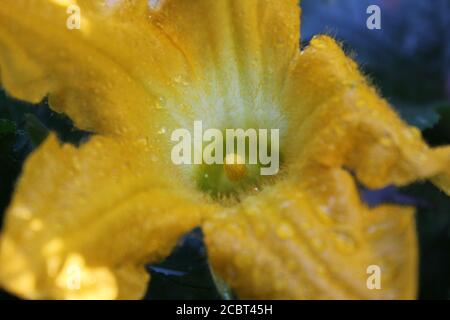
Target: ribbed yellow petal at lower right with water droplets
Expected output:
[285,244]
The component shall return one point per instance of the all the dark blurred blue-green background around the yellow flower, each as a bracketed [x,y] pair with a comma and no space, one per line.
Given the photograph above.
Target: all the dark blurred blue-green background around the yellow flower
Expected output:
[408,60]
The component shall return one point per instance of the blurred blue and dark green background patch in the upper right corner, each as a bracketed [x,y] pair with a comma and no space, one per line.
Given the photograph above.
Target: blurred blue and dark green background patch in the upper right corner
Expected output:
[408,60]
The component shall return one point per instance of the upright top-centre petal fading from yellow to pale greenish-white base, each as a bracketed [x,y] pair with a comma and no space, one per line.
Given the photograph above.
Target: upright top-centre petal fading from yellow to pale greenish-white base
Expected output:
[239,51]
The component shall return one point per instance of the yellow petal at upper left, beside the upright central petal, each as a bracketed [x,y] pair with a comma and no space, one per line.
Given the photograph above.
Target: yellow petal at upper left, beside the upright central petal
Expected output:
[107,76]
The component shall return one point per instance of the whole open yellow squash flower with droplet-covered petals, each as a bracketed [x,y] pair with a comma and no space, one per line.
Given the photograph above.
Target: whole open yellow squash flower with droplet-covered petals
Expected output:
[84,221]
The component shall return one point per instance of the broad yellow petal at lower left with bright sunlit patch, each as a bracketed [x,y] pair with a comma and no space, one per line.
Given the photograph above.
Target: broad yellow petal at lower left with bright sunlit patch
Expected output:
[83,222]
